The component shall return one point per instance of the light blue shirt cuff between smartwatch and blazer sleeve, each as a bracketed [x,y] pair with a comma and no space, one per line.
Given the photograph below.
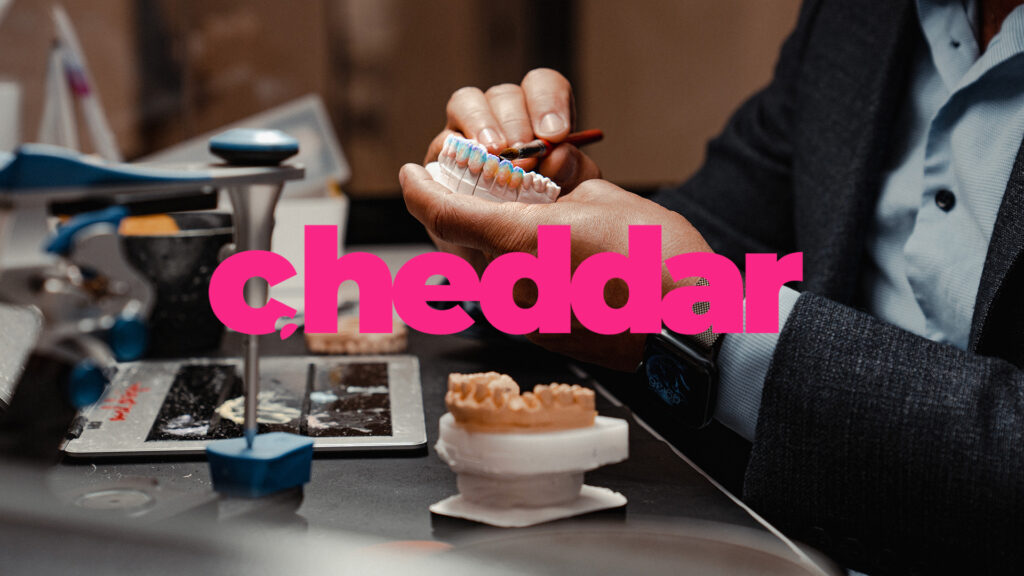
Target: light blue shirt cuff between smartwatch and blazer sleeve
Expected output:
[743,365]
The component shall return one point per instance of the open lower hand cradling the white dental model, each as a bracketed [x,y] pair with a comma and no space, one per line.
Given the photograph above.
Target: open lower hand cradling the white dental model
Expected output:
[600,215]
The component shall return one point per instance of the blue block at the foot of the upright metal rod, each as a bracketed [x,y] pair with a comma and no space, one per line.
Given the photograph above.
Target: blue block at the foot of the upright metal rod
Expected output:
[277,462]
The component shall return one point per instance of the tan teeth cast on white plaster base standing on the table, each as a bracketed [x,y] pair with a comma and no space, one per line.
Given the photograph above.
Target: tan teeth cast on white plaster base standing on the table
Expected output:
[521,459]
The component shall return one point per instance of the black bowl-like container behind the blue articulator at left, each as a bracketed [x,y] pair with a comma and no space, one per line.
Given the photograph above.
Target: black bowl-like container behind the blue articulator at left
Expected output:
[180,268]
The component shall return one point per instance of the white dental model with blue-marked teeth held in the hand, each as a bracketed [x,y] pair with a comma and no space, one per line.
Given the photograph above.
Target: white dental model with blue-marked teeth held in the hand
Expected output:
[464,167]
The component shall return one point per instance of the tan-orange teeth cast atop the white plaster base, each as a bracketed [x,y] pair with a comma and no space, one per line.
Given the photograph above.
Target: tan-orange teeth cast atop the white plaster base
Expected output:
[491,402]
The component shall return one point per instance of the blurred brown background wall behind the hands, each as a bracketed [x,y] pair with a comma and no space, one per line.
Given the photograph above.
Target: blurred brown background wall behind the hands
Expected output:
[660,77]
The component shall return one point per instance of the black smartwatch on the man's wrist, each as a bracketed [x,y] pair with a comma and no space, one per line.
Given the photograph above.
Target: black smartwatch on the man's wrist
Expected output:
[682,371]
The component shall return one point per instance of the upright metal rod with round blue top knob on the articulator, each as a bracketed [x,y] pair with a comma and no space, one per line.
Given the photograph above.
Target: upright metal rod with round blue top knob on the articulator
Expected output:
[253,209]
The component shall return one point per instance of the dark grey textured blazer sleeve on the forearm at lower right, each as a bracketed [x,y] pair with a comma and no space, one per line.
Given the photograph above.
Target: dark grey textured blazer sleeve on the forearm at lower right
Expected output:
[877,440]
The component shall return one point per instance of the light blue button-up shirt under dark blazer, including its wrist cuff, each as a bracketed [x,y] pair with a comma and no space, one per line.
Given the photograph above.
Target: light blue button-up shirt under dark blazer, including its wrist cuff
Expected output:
[959,132]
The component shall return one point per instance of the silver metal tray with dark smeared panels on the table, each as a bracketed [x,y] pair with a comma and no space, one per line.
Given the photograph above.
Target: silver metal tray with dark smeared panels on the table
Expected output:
[168,407]
